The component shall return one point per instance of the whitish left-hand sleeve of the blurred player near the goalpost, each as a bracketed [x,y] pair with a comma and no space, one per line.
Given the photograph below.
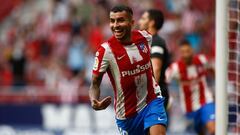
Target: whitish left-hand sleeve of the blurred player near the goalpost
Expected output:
[172,72]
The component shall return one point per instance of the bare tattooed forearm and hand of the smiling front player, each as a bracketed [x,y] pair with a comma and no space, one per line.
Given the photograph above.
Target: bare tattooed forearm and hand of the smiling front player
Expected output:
[94,93]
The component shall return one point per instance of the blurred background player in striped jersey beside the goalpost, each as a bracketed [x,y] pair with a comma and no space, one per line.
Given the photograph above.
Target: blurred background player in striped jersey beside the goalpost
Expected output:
[196,98]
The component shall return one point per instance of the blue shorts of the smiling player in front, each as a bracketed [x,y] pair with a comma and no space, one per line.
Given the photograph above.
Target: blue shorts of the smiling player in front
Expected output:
[153,114]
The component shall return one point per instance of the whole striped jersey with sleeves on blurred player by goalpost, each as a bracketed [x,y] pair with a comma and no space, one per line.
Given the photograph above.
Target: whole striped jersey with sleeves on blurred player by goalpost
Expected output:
[194,91]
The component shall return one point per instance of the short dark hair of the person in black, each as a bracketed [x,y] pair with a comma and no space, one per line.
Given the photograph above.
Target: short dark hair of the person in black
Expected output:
[157,17]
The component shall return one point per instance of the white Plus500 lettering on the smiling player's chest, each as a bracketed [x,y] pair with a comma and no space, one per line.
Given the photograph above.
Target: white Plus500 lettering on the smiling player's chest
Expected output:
[138,69]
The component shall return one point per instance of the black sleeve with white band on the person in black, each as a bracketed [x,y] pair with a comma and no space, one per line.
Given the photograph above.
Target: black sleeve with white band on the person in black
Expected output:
[157,49]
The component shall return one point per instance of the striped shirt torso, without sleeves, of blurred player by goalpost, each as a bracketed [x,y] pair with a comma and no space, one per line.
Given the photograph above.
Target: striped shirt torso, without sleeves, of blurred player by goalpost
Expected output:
[194,89]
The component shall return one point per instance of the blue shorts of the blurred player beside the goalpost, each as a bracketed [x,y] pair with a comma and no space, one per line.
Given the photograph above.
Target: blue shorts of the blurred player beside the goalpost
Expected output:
[202,116]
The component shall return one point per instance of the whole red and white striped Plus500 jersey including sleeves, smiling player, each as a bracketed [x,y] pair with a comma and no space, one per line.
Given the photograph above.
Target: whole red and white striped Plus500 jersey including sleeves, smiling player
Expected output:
[130,71]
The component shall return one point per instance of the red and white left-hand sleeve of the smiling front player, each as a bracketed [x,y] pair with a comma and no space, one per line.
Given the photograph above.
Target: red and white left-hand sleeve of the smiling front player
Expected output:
[101,62]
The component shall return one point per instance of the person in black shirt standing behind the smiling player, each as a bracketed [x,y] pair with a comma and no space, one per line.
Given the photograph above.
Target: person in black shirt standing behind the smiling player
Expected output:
[152,21]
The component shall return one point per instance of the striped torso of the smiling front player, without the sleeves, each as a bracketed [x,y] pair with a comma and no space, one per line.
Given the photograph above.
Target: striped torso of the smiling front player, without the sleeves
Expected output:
[131,76]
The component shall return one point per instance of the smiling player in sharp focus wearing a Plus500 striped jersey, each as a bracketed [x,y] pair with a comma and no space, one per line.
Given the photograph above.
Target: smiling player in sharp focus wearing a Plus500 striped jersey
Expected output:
[138,103]
